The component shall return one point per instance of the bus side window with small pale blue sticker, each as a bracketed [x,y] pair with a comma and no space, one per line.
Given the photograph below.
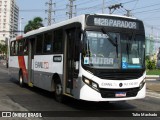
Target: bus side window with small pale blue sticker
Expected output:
[47,42]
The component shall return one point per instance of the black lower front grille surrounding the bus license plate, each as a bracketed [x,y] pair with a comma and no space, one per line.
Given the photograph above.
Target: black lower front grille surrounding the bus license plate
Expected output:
[111,93]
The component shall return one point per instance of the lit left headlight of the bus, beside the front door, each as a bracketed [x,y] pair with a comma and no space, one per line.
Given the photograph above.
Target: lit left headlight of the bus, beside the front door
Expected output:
[90,83]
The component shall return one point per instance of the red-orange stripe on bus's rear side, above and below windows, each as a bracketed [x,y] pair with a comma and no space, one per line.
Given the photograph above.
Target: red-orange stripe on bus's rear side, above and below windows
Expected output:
[21,62]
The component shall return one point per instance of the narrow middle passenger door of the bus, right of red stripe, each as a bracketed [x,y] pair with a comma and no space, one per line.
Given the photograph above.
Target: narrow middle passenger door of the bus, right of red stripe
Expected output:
[31,61]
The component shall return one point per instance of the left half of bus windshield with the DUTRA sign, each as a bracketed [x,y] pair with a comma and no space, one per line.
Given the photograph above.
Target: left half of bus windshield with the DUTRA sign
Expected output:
[101,50]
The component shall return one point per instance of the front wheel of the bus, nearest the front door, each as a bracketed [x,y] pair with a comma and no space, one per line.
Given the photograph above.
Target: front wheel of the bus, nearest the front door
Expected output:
[58,92]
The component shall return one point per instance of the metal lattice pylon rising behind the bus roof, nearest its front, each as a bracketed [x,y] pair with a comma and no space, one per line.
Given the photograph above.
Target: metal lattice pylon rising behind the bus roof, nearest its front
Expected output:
[70,11]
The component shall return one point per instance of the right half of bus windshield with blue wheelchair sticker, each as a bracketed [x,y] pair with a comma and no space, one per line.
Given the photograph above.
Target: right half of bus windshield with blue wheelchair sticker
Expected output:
[133,51]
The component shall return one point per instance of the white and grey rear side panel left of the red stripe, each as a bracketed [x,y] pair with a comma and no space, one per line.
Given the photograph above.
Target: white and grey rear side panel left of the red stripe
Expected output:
[14,67]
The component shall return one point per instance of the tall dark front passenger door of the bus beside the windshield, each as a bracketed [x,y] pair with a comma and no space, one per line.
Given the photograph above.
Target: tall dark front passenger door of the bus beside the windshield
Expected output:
[71,51]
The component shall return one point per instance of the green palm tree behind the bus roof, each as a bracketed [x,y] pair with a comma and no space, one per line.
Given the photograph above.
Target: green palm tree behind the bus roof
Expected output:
[33,24]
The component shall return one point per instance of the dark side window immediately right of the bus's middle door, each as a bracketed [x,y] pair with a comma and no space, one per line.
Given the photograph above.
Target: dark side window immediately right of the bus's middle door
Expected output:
[39,44]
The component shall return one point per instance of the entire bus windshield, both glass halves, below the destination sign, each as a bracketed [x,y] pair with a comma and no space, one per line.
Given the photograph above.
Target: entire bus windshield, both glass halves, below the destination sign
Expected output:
[113,50]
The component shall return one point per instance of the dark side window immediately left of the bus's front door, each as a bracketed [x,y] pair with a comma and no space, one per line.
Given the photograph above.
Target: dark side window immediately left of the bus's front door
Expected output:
[57,42]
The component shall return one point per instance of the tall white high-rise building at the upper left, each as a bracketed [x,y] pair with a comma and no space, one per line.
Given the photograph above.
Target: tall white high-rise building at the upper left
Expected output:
[9,14]
